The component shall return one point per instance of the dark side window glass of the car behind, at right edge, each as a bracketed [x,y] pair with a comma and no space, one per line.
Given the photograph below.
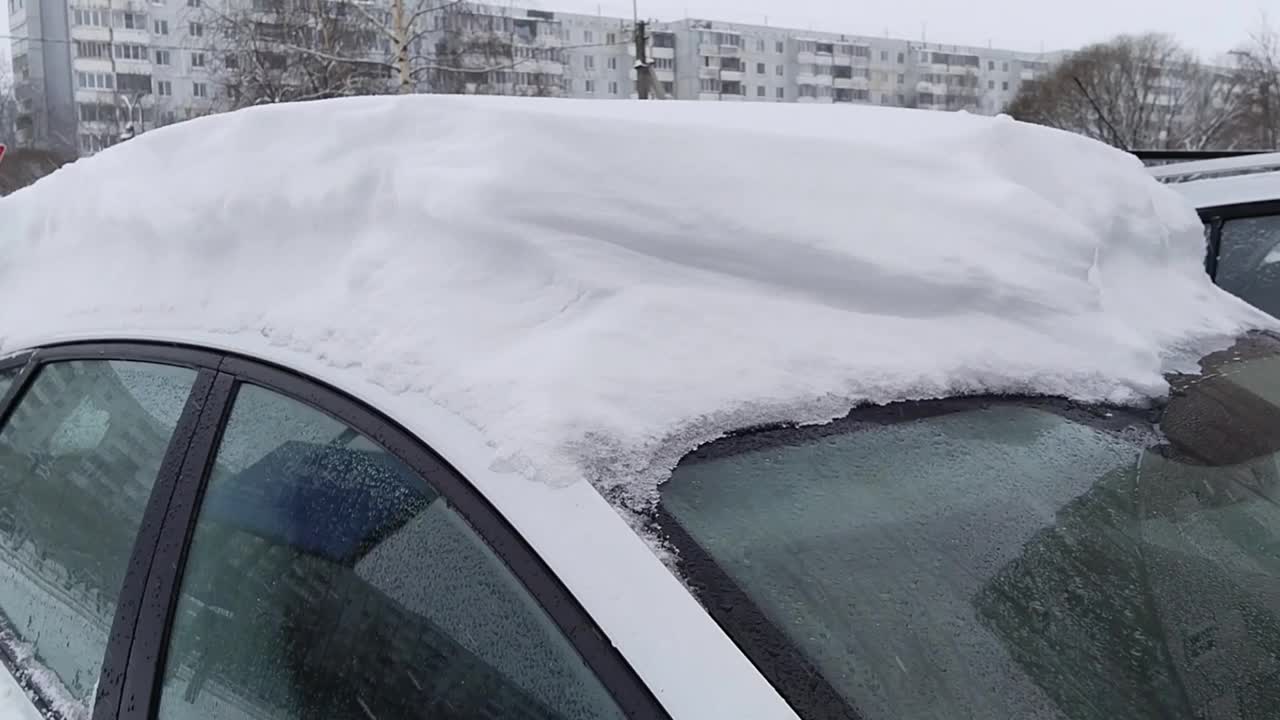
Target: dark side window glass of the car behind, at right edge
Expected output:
[1249,263]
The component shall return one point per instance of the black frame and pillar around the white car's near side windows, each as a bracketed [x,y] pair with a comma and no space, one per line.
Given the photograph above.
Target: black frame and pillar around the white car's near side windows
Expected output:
[134,664]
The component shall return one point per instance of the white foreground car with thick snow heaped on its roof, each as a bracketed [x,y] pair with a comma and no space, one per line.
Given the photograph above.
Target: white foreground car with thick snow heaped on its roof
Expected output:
[488,408]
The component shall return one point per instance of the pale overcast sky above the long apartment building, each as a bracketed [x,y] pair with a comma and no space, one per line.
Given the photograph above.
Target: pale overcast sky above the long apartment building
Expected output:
[1210,28]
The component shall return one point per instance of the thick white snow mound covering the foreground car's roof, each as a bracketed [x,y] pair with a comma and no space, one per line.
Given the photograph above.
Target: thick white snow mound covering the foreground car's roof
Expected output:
[597,288]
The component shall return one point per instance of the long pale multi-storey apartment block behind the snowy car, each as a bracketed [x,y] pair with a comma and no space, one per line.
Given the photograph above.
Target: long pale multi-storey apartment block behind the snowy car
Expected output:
[93,72]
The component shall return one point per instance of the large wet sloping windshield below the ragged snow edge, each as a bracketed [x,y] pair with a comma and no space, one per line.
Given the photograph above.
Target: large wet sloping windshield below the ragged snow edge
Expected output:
[1004,558]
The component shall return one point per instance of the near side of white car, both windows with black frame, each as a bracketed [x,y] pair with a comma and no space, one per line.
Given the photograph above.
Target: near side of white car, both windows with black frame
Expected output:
[249,544]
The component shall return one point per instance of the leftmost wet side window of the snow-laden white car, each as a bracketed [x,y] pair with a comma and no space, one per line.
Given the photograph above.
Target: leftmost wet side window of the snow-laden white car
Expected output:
[79,458]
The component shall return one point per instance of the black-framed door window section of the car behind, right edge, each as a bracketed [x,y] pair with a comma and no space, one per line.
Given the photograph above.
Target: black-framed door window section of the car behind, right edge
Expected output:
[1245,252]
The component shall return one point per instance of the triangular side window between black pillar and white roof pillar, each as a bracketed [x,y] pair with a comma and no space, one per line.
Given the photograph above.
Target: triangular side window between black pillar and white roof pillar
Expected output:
[328,580]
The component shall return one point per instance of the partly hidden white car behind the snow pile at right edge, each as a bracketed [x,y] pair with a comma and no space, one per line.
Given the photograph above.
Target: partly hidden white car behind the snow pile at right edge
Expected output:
[1240,202]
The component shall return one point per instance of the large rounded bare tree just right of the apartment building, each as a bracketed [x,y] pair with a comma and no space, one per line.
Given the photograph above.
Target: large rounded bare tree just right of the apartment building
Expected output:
[1137,93]
